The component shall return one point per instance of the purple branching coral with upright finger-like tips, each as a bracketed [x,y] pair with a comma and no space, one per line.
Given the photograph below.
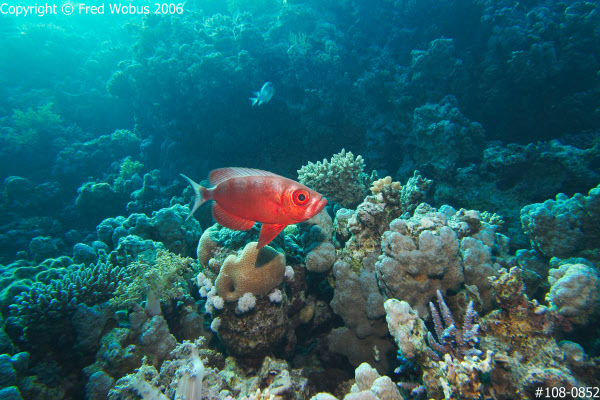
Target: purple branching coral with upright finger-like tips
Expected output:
[458,343]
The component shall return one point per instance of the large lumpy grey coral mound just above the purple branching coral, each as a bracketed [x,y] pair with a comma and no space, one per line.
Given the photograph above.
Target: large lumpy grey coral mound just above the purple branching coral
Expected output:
[423,254]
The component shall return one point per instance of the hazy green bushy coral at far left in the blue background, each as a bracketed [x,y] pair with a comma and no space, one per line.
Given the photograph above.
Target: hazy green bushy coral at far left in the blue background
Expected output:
[31,124]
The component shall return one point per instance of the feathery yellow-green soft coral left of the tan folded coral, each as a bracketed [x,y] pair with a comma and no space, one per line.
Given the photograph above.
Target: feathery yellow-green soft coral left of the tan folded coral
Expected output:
[159,278]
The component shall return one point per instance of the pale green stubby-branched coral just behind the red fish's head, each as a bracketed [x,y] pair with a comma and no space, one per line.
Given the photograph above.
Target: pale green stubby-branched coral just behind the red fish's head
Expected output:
[341,180]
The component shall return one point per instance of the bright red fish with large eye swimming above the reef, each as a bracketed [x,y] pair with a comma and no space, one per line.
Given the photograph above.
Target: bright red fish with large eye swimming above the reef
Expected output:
[243,196]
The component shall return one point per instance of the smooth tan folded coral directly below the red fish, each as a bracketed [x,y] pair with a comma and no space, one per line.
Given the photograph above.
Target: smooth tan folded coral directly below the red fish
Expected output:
[255,271]
